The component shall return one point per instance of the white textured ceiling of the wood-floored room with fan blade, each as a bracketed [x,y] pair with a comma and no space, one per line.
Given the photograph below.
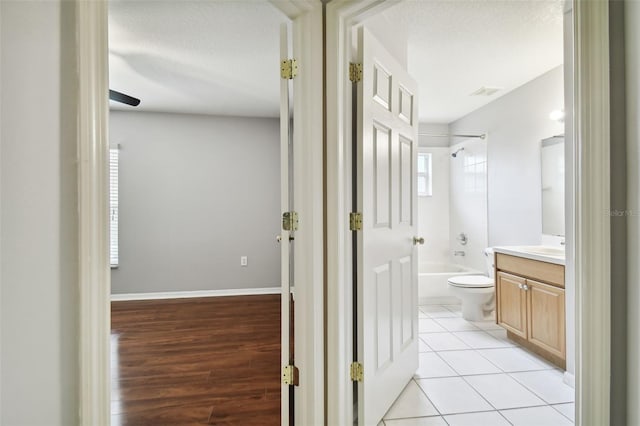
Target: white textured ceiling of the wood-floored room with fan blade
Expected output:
[206,57]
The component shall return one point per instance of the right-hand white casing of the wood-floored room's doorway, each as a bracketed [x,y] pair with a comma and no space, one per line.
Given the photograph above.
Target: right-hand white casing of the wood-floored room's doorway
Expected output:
[308,202]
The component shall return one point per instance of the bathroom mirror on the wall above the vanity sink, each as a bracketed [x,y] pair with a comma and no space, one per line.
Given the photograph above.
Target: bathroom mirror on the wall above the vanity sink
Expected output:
[552,162]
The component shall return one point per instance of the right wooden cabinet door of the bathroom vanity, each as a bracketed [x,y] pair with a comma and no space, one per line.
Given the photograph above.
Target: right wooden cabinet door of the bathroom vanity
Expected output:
[546,321]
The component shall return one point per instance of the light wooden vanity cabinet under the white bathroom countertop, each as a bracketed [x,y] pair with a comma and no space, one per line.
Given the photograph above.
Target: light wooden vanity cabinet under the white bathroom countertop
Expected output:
[530,305]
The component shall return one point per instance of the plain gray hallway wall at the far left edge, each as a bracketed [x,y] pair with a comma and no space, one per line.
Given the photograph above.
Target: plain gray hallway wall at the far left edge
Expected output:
[38,248]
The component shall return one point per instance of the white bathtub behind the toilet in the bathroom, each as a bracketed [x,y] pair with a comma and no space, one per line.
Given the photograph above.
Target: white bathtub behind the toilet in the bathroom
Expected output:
[432,282]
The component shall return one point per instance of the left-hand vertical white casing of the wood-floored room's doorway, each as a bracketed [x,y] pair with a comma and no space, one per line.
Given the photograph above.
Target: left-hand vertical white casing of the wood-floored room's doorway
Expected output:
[93,202]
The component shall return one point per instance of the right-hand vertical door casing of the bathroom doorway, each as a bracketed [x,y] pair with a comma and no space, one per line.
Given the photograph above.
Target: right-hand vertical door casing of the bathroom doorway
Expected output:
[592,222]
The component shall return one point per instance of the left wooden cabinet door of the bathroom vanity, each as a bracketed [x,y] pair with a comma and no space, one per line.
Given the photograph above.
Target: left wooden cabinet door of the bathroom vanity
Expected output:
[511,303]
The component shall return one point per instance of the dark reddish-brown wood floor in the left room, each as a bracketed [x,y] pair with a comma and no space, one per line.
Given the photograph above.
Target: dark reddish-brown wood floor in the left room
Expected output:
[209,361]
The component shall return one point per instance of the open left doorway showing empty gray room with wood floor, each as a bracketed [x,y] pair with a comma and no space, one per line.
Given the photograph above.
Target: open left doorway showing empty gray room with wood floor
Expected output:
[195,211]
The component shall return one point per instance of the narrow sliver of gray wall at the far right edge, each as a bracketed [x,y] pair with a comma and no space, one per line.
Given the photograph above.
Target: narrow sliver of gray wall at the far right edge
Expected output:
[632,28]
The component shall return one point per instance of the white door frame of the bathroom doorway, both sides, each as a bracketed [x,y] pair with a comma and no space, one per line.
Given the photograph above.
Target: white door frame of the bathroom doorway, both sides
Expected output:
[591,174]
